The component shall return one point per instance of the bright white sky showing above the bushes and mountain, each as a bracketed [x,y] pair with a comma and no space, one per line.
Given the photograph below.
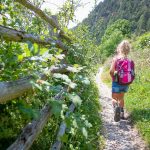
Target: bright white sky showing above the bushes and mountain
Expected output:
[81,13]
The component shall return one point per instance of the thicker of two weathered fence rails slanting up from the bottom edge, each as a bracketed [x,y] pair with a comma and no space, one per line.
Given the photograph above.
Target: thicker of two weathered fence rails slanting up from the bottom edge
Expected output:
[33,129]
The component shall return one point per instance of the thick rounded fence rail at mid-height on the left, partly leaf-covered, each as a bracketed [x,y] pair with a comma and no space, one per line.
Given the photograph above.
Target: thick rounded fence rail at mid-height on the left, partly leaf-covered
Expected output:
[13,89]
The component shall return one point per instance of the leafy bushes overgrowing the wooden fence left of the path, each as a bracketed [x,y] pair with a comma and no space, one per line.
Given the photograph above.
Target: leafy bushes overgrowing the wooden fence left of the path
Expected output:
[26,53]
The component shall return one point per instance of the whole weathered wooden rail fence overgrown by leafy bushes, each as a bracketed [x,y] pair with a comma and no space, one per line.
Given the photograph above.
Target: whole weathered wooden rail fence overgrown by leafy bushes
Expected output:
[14,89]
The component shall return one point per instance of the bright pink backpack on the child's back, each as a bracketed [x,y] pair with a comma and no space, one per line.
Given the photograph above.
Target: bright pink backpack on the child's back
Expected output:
[125,71]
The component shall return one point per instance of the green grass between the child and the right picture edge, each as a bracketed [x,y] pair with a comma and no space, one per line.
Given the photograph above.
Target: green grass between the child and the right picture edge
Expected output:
[138,98]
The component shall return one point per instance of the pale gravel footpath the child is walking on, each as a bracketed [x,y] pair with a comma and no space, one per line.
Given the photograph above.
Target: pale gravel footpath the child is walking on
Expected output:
[118,135]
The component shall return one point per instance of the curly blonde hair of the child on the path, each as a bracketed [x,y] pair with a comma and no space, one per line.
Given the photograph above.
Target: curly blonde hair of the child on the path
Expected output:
[124,48]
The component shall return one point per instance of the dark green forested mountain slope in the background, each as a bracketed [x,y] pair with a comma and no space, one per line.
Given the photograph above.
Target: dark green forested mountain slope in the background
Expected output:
[108,11]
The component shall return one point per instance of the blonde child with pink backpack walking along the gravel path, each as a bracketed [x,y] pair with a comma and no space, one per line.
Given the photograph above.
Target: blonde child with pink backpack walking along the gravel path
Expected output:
[122,73]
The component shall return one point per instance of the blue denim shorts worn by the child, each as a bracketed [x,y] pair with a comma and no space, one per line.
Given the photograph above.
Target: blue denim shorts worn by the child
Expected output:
[117,88]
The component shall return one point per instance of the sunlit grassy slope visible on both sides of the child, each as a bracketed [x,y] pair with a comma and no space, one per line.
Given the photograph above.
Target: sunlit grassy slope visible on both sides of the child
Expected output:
[137,99]
